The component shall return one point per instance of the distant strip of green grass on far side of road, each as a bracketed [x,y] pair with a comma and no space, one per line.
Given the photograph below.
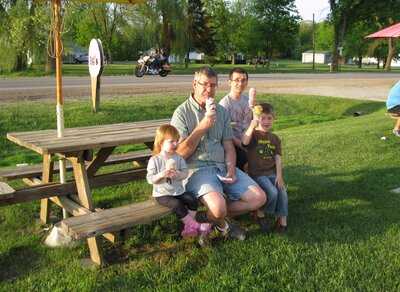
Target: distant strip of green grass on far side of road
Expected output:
[277,66]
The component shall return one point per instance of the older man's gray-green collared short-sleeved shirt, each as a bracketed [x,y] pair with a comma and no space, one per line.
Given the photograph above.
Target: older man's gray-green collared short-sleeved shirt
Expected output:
[210,150]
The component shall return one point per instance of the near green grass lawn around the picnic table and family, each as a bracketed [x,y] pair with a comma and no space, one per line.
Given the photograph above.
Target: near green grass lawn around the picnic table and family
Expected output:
[344,224]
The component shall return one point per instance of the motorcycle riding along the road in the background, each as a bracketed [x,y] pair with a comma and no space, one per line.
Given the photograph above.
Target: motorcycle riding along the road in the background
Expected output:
[152,66]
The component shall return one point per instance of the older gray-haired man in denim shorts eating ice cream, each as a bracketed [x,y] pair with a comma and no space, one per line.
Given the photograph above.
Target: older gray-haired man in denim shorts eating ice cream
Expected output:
[206,144]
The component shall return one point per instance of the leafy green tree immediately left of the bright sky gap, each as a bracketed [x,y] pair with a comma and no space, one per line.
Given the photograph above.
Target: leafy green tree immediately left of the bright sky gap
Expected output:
[278,23]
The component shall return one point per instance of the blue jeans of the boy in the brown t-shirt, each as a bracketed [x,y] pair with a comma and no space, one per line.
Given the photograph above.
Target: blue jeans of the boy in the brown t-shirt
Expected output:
[277,200]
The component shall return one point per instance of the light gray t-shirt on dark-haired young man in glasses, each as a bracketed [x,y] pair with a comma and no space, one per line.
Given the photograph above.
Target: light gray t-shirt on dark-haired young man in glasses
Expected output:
[240,113]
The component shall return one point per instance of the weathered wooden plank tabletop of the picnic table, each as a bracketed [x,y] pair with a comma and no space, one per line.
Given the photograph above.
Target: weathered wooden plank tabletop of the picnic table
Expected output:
[86,138]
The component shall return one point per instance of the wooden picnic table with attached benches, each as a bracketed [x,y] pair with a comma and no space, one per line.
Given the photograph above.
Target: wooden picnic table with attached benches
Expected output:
[86,149]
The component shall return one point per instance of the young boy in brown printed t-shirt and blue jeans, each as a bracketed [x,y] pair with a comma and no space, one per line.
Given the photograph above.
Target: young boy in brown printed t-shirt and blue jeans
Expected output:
[265,163]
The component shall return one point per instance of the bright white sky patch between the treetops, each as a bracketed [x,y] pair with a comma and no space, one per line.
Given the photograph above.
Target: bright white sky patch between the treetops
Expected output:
[307,7]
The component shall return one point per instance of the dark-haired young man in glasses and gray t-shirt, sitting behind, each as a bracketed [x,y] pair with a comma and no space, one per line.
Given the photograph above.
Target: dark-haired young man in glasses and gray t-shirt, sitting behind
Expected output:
[239,110]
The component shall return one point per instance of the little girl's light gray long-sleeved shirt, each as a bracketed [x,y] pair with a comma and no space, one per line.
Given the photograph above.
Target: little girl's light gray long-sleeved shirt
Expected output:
[157,164]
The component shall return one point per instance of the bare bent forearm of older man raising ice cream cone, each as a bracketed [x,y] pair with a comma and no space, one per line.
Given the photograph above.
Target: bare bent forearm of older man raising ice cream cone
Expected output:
[188,145]
